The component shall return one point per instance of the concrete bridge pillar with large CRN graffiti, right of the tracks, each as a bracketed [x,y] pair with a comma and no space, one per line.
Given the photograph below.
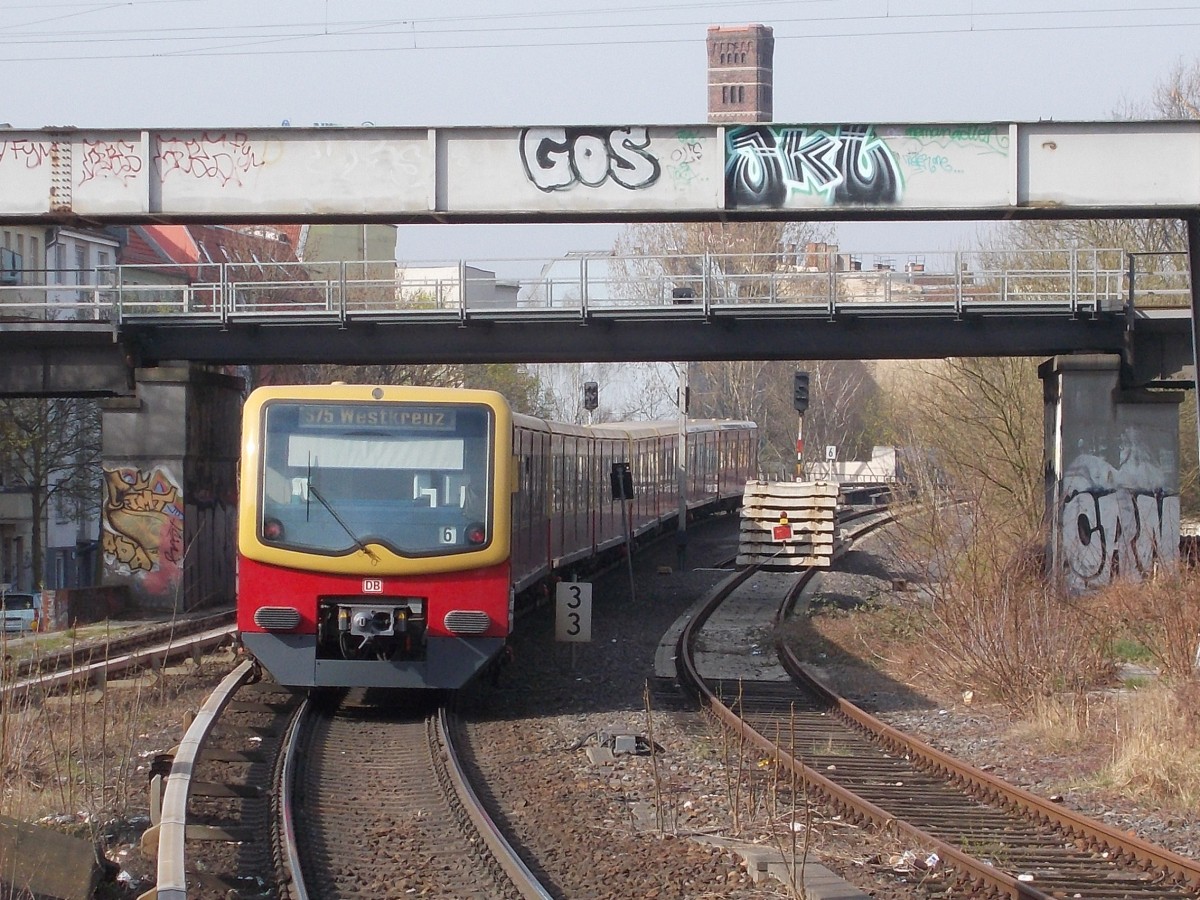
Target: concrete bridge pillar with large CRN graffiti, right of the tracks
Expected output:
[1112,475]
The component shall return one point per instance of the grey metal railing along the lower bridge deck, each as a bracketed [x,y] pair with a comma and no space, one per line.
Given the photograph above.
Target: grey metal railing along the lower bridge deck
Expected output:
[1076,281]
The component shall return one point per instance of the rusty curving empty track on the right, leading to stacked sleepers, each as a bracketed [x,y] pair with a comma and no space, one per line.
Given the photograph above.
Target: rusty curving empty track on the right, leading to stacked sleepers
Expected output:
[979,833]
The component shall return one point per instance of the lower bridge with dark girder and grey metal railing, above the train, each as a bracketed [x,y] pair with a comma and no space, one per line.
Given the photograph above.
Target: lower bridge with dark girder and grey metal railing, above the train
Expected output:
[817,305]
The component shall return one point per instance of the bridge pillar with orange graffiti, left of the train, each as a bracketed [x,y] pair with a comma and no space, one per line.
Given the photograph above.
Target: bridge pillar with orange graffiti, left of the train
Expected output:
[169,521]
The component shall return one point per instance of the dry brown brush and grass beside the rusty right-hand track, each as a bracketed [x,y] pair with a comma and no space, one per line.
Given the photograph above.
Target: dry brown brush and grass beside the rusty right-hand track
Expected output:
[983,620]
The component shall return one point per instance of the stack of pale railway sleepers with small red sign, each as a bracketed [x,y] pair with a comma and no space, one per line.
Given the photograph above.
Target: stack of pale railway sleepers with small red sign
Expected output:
[789,525]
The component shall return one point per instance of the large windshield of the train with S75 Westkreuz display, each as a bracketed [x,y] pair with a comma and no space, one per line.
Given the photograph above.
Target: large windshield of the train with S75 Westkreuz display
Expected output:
[339,478]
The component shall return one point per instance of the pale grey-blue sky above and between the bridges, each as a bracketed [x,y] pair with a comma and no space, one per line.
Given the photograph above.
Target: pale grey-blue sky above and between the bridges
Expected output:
[445,63]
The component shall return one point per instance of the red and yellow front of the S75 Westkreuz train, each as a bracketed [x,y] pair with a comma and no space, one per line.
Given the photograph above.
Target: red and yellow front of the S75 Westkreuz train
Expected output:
[375,535]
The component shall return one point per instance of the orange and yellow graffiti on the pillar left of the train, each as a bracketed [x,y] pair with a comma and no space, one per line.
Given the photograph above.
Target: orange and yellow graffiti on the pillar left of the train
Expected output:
[143,526]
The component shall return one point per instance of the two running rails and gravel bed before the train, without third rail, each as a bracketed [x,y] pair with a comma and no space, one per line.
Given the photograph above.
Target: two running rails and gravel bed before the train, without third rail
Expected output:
[381,809]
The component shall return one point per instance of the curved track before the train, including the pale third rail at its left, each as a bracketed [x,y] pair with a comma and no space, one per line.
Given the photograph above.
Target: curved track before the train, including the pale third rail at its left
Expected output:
[368,801]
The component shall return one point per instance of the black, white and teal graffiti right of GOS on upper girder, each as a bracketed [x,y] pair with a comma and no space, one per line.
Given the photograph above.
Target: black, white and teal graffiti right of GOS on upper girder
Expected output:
[766,165]
